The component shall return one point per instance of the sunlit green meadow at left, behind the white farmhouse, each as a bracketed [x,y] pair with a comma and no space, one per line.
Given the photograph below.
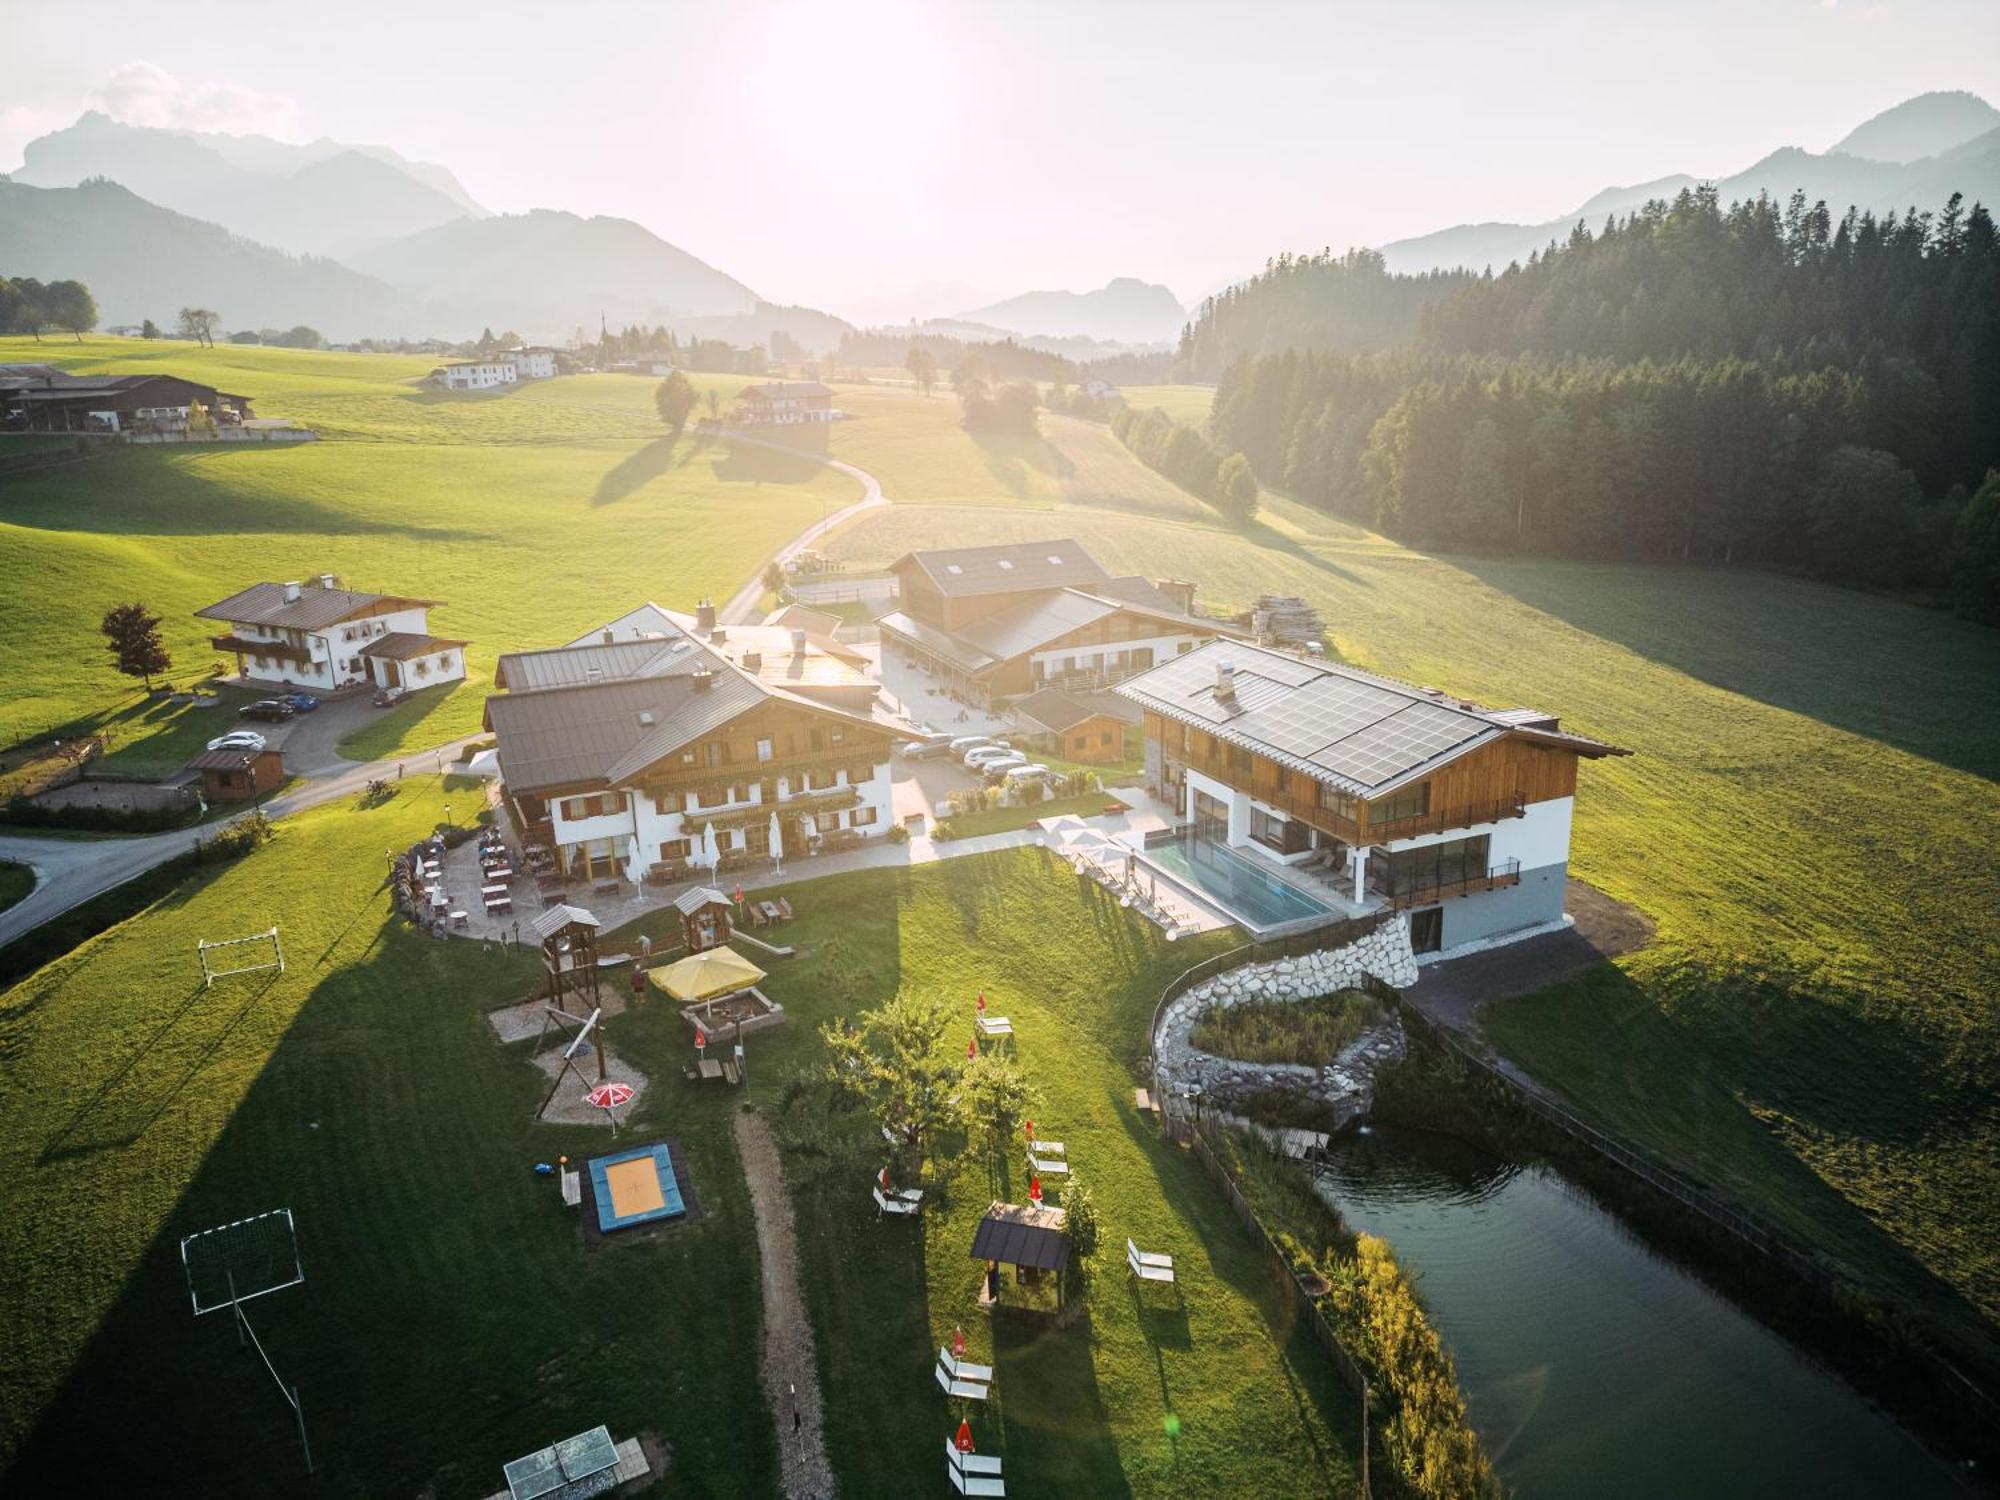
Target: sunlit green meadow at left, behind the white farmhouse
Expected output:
[531,515]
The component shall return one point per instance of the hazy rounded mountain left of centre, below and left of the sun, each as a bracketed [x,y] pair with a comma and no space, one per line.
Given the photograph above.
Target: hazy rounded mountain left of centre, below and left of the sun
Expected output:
[549,273]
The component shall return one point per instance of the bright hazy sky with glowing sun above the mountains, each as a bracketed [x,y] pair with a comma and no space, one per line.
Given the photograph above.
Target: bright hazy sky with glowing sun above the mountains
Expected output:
[891,159]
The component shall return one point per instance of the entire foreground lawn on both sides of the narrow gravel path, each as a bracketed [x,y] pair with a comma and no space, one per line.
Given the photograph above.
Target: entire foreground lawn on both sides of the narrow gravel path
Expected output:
[451,1319]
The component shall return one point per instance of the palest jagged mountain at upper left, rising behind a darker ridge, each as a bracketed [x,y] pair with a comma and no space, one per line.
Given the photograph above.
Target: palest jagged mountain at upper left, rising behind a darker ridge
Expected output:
[321,199]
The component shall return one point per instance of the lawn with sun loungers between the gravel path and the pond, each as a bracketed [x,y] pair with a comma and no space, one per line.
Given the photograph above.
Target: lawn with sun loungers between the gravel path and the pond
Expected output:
[1081,1411]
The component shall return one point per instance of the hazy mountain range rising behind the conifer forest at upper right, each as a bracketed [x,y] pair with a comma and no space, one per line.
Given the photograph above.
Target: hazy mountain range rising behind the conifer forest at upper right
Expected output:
[1917,153]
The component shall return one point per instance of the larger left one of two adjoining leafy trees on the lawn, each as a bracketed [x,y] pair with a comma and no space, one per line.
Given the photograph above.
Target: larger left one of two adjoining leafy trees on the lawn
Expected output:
[897,1069]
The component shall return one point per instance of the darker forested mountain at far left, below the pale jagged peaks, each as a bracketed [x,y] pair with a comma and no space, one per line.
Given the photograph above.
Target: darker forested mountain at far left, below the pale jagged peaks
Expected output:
[143,261]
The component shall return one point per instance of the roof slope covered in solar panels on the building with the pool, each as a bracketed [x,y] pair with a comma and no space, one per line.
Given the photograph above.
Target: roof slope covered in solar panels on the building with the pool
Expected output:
[1337,725]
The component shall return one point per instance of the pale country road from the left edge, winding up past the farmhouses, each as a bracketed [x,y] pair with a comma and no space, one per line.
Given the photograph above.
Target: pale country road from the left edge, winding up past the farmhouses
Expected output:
[71,871]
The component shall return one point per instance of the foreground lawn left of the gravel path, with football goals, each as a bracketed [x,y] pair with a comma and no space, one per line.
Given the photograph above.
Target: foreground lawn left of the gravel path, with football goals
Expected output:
[449,1317]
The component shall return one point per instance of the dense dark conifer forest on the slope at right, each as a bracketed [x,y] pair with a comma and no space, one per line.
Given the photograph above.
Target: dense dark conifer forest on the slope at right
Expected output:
[1691,383]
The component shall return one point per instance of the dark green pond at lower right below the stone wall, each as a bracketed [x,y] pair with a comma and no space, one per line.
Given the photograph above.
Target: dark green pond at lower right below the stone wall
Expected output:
[1593,1365]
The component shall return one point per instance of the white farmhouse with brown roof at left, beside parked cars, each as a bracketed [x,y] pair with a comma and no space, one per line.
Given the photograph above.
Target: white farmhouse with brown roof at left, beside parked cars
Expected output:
[325,637]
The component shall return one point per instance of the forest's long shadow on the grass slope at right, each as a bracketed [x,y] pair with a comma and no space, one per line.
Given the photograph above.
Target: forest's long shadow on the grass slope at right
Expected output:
[1873,667]
